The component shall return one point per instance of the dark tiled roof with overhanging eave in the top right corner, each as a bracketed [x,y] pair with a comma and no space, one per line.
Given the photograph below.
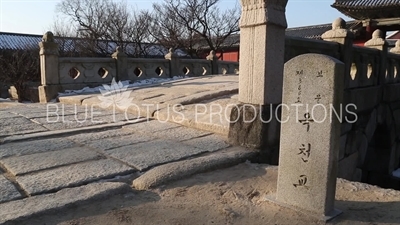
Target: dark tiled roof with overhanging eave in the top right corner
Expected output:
[368,9]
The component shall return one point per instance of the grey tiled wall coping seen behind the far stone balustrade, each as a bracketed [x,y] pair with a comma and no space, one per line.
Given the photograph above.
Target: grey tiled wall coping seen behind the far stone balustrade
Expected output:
[16,41]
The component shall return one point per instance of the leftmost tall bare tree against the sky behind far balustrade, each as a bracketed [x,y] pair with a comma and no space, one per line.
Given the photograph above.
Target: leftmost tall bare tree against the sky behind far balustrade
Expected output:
[105,24]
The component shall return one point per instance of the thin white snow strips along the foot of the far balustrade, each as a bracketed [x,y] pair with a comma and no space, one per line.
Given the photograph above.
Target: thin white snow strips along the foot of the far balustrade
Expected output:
[125,83]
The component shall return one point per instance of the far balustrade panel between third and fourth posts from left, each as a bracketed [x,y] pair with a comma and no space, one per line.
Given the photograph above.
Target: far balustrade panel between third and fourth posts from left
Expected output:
[194,67]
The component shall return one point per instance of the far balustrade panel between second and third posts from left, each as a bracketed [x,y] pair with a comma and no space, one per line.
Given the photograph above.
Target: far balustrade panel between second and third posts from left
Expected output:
[140,69]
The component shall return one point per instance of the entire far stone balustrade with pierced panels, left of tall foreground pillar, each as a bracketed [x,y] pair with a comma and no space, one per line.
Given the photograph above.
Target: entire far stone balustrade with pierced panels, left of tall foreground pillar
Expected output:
[59,73]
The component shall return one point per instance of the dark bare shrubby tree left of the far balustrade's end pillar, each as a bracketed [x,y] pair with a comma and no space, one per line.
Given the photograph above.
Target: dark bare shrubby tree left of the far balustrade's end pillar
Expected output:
[18,68]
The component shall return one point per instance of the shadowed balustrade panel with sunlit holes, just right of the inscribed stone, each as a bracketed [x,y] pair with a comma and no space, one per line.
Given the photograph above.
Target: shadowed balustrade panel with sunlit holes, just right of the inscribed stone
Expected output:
[365,68]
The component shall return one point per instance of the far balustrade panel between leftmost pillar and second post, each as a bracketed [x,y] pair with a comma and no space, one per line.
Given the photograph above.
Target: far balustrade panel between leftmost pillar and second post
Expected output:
[86,70]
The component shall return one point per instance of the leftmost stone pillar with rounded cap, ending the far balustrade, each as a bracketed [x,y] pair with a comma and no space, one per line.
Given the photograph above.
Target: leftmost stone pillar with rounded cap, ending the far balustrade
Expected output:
[50,78]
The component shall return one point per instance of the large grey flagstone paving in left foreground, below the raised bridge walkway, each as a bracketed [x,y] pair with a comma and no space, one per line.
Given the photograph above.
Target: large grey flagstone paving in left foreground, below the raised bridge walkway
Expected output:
[55,149]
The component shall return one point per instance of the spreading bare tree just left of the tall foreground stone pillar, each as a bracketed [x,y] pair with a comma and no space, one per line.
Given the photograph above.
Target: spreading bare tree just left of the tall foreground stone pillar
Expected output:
[194,25]
